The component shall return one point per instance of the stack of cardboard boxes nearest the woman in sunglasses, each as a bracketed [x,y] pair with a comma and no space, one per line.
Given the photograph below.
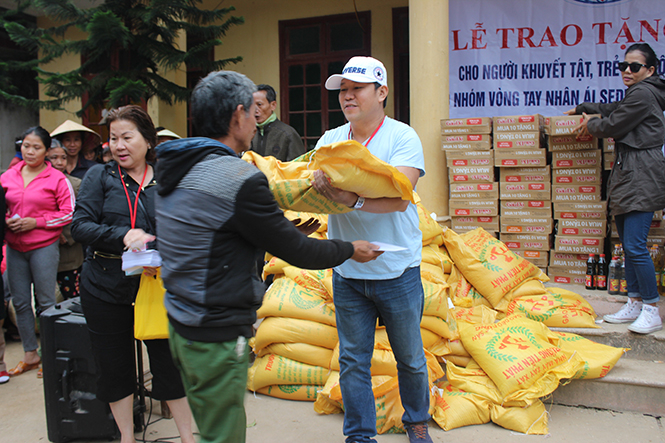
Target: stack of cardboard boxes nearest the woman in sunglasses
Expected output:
[576,194]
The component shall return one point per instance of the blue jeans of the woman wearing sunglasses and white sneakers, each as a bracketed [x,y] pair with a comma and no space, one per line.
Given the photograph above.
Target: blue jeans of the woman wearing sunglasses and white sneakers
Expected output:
[633,230]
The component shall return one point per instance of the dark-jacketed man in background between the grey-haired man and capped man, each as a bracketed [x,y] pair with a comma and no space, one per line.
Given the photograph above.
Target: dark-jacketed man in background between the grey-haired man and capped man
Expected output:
[273,137]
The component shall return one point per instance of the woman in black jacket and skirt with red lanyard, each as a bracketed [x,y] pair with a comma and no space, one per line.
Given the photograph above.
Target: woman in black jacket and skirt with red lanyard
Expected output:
[115,211]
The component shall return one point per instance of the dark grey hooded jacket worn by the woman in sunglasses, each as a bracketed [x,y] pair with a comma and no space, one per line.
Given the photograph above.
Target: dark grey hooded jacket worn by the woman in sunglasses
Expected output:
[637,124]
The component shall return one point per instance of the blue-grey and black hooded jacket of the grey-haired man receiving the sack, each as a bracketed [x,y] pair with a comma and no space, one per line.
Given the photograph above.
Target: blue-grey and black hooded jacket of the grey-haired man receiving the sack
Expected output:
[213,225]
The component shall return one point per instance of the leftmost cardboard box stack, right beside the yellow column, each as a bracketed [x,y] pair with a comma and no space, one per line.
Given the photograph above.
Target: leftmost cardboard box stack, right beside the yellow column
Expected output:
[470,159]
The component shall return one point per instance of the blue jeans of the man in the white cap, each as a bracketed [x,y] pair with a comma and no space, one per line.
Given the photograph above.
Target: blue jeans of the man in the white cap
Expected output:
[399,303]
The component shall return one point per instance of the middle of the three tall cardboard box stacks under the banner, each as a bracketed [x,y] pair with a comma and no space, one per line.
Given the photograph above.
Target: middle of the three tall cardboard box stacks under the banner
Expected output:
[524,186]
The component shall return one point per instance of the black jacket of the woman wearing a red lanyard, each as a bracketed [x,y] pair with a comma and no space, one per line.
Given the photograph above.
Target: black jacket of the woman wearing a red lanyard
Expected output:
[101,221]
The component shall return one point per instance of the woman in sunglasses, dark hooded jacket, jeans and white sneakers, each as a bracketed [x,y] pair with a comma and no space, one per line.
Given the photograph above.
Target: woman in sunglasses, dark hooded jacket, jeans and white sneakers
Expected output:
[636,187]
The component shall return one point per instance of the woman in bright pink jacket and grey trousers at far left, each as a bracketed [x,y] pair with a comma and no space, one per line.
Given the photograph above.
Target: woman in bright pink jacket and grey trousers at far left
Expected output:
[40,202]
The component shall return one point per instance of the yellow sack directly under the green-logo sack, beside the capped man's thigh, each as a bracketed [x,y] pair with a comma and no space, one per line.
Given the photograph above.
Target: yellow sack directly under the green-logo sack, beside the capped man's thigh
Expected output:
[294,330]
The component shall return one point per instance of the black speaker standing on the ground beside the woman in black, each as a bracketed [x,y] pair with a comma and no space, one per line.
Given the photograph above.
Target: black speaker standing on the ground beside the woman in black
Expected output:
[72,408]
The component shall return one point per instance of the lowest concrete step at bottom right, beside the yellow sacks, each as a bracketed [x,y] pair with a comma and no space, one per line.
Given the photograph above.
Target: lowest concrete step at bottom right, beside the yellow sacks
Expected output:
[631,386]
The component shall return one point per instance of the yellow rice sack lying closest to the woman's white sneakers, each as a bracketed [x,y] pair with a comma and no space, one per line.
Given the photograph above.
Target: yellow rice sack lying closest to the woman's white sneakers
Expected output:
[555,308]
